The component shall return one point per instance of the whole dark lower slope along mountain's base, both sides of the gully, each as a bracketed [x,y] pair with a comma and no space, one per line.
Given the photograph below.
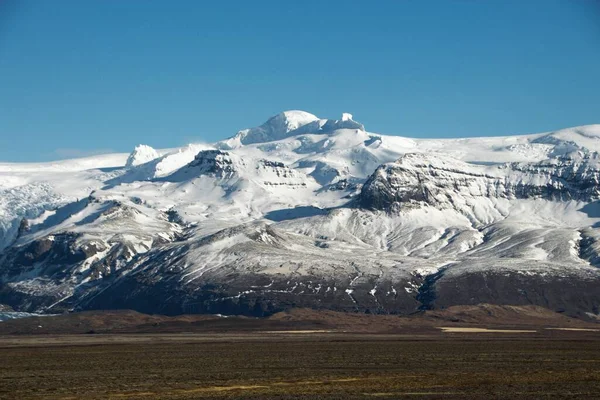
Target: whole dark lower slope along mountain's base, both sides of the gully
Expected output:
[246,295]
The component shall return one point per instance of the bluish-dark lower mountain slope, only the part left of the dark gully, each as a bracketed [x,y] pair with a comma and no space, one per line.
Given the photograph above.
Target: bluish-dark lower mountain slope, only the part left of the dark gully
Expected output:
[246,295]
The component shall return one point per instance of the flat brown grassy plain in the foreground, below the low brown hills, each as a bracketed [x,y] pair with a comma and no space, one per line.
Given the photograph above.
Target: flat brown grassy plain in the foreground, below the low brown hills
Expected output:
[302,366]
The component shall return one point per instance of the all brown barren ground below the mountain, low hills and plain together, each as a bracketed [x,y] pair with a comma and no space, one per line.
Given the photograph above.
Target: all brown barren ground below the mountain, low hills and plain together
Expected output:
[488,352]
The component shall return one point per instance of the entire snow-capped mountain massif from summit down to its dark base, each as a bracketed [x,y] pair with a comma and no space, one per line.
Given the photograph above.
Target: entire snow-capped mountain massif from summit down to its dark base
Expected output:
[304,211]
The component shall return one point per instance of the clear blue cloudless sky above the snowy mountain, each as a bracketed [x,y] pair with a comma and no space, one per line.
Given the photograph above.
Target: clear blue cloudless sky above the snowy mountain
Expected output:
[78,76]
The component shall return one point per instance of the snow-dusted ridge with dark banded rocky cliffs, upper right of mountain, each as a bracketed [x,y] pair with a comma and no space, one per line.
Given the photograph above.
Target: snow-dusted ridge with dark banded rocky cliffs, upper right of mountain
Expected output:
[445,182]
